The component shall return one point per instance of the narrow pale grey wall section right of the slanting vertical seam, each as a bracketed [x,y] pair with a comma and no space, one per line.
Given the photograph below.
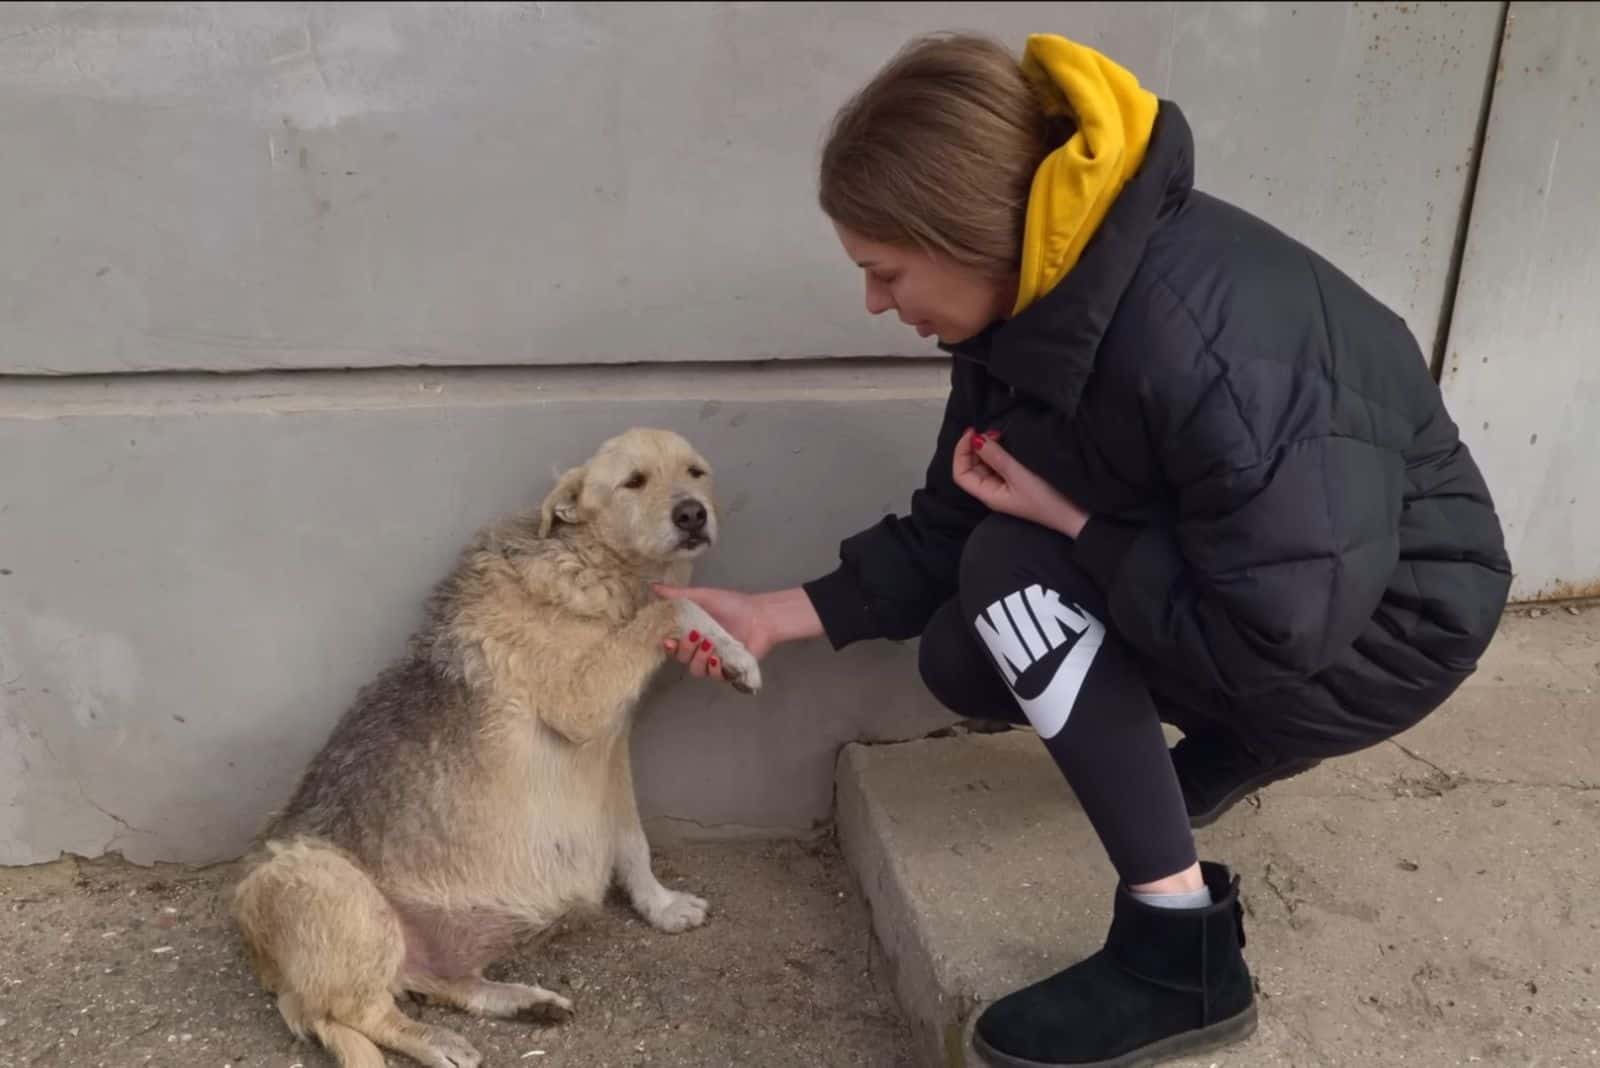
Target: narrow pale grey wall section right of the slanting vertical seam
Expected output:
[1522,370]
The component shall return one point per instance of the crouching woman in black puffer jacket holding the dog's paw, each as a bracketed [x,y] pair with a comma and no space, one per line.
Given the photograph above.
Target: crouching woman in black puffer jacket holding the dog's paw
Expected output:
[1190,472]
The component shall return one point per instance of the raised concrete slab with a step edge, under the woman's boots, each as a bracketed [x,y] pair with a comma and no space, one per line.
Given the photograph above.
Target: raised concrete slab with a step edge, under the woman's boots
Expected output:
[1431,901]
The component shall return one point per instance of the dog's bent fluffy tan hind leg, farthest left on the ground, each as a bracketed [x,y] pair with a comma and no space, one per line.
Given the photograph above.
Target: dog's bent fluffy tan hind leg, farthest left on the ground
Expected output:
[327,942]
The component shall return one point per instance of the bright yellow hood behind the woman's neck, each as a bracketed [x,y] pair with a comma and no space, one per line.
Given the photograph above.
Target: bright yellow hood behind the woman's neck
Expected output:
[1078,183]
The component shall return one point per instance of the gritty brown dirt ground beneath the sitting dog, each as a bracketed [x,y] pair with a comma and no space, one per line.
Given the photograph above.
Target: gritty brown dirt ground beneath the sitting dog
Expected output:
[108,965]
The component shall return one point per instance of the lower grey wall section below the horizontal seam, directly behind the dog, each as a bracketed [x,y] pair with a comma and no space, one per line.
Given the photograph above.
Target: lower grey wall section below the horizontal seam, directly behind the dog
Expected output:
[196,576]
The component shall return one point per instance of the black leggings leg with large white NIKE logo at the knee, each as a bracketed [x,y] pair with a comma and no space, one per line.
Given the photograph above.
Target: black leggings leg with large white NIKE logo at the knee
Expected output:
[1026,642]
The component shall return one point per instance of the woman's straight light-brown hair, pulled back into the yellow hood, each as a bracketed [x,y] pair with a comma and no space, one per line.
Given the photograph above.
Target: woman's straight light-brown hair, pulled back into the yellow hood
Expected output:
[940,151]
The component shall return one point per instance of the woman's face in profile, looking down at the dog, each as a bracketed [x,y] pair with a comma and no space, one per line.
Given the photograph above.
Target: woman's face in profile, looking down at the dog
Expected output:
[930,292]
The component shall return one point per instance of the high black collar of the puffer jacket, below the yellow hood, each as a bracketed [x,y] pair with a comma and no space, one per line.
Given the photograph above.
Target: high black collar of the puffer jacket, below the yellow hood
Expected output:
[1049,351]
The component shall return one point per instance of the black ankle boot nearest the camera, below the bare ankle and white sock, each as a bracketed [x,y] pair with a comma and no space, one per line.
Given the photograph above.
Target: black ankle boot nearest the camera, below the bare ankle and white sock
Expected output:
[1169,982]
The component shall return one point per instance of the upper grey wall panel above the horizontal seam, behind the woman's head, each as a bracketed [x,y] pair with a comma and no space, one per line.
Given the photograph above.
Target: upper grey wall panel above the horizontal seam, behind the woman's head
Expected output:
[321,186]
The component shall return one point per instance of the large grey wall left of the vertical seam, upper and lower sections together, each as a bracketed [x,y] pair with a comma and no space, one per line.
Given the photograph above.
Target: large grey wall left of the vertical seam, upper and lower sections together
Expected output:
[198,572]
